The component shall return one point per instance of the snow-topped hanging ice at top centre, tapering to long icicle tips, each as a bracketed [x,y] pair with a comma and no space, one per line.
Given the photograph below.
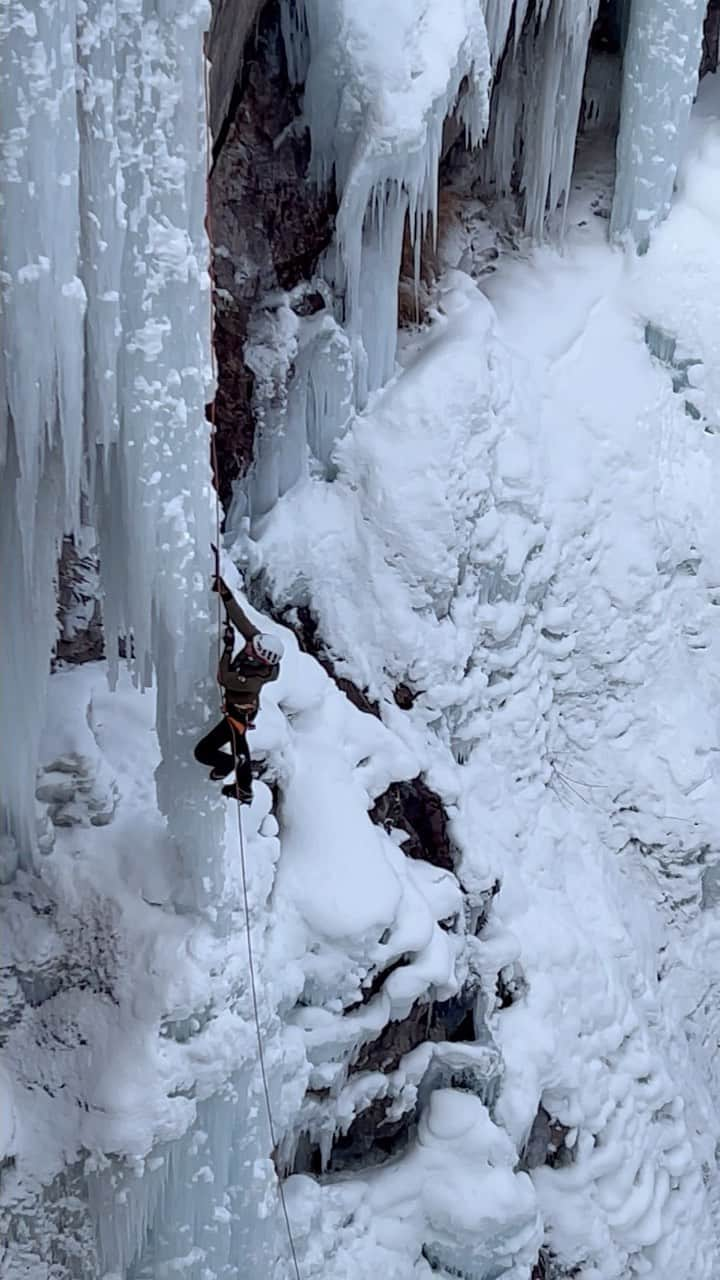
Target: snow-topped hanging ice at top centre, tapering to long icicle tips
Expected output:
[372,152]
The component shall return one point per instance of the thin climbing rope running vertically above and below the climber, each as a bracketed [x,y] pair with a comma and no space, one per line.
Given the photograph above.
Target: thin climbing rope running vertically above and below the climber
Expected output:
[240,831]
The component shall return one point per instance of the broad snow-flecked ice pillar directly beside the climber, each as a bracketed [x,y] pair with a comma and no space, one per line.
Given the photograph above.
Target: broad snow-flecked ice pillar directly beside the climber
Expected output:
[153,486]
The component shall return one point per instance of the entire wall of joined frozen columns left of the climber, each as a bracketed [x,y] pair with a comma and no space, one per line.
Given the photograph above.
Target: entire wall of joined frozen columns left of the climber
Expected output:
[104,371]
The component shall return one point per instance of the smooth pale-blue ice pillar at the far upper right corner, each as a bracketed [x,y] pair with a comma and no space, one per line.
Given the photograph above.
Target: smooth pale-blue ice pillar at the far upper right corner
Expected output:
[660,71]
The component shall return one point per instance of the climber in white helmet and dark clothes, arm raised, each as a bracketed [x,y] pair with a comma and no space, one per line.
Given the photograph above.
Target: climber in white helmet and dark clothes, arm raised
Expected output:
[243,679]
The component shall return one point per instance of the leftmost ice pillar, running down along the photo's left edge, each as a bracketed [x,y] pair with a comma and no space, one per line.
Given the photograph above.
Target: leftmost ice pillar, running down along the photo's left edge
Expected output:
[42,305]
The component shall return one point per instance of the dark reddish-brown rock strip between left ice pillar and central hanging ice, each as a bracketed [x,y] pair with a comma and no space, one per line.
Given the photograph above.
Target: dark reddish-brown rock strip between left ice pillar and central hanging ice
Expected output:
[267,223]
